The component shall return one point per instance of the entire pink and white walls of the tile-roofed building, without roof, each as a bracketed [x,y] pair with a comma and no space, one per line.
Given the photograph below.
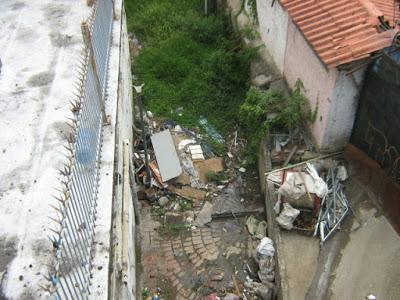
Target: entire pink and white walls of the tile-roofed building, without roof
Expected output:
[334,93]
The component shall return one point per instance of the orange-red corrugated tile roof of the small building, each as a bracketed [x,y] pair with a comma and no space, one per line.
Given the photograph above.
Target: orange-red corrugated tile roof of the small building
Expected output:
[341,31]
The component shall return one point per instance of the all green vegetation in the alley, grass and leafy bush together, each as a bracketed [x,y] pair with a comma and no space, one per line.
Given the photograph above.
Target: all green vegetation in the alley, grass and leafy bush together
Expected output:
[195,65]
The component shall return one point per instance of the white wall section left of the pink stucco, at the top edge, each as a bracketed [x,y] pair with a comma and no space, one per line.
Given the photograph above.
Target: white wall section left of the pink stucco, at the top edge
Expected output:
[273,21]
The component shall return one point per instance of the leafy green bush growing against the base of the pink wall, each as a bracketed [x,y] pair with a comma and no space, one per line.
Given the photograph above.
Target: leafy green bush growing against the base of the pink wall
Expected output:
[265,110]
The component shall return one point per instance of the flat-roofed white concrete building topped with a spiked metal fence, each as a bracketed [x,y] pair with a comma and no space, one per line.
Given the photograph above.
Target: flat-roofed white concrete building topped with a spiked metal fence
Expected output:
[66,215]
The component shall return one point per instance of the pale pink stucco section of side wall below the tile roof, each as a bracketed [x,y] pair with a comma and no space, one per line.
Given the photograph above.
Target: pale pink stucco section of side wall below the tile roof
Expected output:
[319,82]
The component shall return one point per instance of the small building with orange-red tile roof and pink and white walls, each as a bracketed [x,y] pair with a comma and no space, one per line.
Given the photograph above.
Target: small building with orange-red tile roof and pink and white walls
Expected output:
[327,45]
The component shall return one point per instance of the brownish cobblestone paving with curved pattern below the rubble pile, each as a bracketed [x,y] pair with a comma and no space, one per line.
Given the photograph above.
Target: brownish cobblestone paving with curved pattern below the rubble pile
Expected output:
[189,263]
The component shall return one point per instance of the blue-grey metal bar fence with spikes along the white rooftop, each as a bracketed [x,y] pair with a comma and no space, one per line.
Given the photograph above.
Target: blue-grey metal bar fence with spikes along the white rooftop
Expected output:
[70,273]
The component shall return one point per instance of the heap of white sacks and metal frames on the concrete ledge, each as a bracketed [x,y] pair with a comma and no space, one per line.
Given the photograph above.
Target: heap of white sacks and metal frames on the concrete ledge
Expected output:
[309,200]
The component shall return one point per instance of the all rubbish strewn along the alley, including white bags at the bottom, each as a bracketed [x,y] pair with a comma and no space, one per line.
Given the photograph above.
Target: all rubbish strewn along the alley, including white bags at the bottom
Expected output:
[195,176]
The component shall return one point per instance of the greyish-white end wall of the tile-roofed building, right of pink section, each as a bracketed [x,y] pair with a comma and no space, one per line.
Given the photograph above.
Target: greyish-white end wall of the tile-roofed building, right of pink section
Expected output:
[343,109]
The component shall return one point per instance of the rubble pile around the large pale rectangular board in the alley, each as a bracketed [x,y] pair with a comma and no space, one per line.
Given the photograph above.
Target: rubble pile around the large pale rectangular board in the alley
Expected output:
[187,168]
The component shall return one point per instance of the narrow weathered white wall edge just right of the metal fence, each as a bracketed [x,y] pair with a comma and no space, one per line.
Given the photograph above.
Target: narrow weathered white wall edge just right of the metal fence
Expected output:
[122,277]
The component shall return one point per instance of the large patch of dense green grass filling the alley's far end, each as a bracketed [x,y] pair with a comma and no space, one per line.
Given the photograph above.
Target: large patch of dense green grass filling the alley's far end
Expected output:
[189,61]
